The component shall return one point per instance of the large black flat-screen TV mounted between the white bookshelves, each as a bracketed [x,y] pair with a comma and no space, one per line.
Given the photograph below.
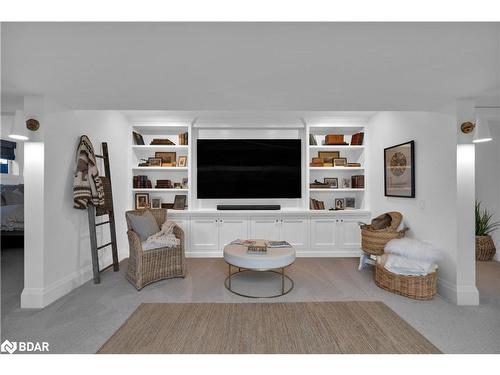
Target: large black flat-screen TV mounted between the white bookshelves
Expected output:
[249,168]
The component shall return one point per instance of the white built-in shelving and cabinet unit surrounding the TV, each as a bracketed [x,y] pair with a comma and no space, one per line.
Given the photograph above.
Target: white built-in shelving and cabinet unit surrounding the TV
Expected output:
[312,232]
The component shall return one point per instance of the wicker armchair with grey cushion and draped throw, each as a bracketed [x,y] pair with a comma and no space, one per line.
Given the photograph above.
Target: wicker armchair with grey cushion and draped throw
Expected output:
[148,266]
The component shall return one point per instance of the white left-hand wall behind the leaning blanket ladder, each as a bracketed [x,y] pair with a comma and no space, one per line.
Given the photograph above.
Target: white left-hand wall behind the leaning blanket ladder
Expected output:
[66,247]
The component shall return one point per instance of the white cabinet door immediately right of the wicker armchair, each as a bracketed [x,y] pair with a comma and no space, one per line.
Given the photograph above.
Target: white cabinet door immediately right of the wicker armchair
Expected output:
[204,234]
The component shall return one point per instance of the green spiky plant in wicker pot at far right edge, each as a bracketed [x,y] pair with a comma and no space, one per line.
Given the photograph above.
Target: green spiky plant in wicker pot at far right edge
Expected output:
[485,247]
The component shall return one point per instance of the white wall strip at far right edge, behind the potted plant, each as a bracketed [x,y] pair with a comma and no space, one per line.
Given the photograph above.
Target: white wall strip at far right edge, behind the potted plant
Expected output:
[488,177]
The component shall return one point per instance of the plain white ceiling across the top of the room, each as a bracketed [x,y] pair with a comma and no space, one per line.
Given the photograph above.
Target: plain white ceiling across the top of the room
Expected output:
[250,66]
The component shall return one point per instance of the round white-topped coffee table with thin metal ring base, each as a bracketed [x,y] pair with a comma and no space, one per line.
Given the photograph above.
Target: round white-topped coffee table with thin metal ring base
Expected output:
[274,259]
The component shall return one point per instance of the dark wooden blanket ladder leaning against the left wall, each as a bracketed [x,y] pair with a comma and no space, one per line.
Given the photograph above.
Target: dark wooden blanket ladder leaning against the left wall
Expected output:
[107,209]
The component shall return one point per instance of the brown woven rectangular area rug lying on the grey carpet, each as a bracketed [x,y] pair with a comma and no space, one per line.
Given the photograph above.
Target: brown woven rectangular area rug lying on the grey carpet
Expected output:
[304,327]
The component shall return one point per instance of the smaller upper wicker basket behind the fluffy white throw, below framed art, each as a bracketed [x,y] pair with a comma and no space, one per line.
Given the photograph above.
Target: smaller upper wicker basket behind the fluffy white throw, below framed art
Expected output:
[374,241]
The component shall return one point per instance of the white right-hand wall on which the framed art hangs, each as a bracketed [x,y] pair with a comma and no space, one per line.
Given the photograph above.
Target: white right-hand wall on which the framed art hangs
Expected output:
[432,215]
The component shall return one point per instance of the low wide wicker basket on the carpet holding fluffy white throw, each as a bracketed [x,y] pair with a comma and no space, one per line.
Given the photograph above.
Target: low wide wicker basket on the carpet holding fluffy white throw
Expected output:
[416,287]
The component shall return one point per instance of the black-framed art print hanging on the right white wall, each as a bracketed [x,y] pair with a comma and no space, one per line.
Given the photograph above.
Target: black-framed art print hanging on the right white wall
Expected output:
[399,170]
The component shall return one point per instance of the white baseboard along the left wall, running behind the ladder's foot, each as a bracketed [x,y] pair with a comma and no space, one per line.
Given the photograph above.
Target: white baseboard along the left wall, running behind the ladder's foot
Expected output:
[37,298]
